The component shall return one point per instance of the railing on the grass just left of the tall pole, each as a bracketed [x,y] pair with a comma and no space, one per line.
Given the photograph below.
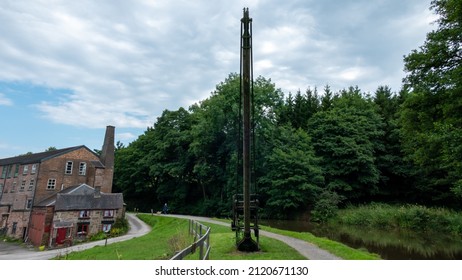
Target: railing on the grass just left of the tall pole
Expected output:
[197,229]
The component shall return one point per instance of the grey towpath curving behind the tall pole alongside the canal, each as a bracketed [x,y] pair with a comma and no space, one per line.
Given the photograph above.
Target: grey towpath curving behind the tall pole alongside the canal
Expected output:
[309,250]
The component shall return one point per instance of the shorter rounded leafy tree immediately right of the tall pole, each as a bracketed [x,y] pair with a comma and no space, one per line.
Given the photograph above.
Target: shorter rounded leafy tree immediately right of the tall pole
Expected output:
[293,178]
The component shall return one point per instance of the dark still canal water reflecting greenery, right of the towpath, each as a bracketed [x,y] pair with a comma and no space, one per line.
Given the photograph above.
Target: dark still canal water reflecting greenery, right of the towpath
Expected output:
[390,245]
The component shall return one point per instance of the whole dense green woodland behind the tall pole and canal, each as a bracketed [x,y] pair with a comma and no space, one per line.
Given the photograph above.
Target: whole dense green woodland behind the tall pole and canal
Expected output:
[314,150]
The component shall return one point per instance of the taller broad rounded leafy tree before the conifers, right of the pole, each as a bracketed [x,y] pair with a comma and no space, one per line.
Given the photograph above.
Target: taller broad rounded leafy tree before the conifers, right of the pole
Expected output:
[346,138]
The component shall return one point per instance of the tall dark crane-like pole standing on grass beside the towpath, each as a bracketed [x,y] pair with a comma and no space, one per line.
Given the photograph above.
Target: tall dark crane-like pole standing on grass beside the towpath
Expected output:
[246,244]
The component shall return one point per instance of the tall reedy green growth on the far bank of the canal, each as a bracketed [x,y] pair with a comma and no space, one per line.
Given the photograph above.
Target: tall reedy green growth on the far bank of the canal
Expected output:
[412,217]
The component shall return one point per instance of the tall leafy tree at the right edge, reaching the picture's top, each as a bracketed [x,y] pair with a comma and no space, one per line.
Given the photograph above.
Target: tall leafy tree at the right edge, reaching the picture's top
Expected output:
[431,116]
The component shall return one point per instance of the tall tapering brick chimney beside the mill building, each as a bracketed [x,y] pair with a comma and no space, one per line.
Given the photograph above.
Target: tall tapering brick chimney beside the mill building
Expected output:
[107,158]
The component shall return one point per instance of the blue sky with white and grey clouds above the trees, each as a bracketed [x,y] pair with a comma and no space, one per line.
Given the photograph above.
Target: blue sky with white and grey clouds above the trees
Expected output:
[70,68]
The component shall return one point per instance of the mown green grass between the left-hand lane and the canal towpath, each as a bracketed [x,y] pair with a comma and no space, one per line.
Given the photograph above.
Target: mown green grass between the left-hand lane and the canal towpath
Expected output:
[157,245]
